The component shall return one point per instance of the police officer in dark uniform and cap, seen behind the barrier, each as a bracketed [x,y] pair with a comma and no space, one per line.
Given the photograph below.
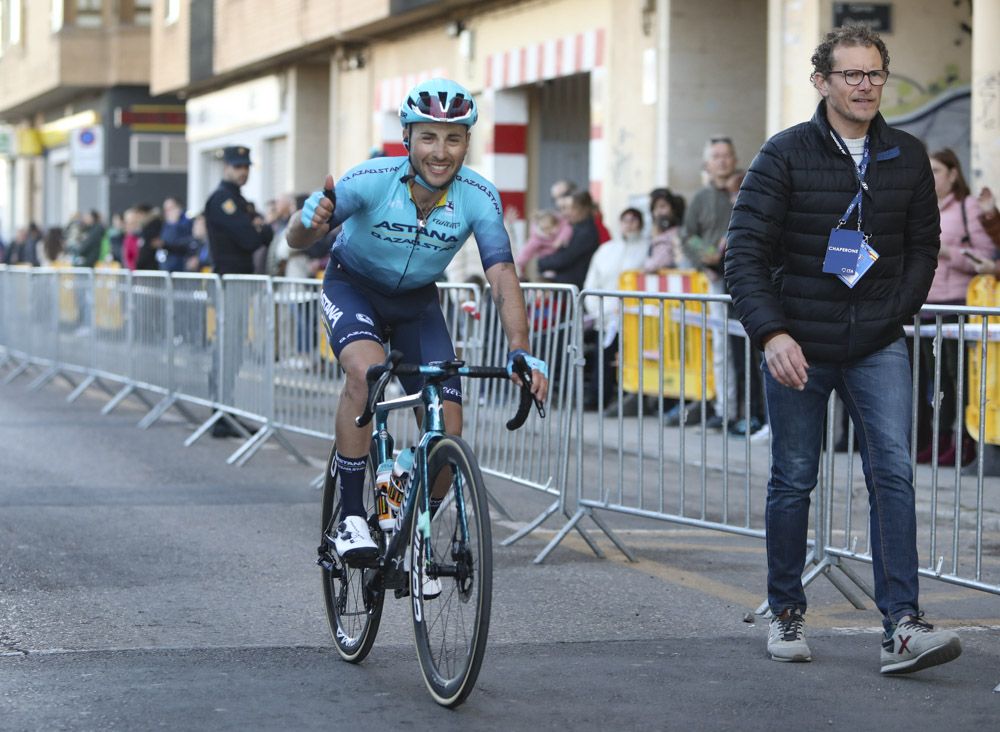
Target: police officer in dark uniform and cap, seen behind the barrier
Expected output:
[235,231]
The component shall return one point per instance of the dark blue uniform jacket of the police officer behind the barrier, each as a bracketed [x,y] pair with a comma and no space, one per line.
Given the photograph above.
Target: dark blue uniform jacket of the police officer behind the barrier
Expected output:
[232,236]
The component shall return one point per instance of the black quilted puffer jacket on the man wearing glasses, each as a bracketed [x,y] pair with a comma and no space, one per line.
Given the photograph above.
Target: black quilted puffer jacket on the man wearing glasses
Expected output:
[795,191]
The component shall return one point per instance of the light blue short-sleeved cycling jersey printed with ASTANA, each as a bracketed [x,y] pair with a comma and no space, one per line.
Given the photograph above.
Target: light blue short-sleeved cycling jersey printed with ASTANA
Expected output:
[382,240]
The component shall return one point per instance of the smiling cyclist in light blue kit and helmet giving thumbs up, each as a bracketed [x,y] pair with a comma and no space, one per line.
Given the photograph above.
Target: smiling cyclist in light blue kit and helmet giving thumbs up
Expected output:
[404,219]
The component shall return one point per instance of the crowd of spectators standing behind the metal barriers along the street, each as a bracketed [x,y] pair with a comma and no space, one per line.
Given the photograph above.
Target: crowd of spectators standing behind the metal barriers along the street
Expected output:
[569,243]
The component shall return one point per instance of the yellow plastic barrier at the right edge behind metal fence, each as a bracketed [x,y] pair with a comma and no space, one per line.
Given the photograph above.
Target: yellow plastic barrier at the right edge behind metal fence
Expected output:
[983,292]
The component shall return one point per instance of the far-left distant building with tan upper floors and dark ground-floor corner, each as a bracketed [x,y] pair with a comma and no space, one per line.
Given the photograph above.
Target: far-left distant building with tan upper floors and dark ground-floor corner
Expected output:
[84,131]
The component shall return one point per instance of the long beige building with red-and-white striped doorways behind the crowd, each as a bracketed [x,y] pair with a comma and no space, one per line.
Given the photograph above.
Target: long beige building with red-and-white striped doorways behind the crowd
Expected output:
[616,95]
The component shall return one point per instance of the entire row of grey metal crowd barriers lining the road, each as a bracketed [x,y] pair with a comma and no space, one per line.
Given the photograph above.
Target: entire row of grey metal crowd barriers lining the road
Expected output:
[252,347]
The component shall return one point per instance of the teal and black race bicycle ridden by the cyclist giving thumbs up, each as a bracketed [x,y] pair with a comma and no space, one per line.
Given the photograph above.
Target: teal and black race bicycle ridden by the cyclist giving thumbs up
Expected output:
[447,548]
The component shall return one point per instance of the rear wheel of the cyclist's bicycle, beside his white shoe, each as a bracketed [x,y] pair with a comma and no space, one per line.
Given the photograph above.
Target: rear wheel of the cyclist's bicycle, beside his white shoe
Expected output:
[353,612]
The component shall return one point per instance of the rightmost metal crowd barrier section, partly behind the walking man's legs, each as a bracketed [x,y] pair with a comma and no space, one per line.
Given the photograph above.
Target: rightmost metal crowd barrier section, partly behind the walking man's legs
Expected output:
[953,540]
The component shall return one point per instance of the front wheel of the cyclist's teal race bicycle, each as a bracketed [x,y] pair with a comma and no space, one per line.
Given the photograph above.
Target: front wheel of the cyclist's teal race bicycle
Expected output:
[455,547]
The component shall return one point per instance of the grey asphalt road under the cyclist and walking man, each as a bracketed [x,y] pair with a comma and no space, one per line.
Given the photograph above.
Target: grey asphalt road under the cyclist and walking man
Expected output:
[146,585]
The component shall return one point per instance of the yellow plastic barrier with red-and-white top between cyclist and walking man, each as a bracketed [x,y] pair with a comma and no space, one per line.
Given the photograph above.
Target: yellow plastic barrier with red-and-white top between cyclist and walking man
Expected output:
[661,317]
